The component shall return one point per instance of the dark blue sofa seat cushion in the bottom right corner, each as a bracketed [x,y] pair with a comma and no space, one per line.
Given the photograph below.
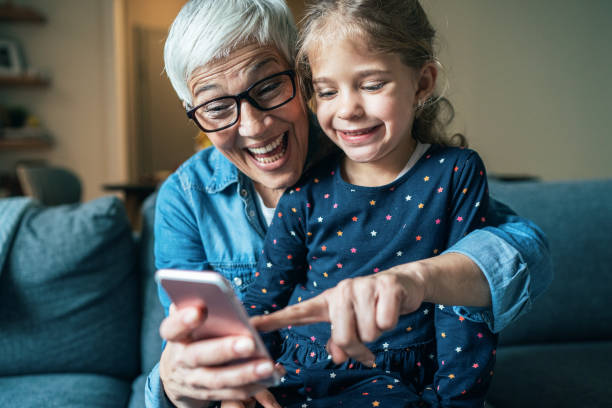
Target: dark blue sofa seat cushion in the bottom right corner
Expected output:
[553,375]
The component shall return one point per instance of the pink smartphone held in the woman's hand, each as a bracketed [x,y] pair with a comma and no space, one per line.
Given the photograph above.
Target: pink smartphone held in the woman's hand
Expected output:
[225,314]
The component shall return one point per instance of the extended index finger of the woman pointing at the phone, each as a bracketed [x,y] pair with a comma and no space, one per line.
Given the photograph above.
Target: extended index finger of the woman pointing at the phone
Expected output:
[309,311]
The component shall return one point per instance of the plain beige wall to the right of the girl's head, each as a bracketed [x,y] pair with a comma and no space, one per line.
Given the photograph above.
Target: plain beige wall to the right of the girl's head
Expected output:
[531,82]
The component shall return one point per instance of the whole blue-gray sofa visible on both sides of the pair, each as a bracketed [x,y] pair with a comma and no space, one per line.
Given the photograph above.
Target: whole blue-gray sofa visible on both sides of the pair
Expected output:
[79,314]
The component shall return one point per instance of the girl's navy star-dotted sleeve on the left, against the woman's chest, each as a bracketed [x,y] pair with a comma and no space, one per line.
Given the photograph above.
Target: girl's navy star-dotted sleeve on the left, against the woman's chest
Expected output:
[282,264]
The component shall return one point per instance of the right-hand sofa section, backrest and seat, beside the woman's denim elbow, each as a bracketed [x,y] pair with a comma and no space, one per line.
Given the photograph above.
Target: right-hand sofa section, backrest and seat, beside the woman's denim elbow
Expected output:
[560,354]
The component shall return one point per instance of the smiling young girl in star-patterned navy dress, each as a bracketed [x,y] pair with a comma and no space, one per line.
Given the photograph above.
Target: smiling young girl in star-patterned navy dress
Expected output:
[398,193]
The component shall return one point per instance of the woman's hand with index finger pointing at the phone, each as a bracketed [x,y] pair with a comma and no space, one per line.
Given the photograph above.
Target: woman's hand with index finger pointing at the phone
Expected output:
[358,309]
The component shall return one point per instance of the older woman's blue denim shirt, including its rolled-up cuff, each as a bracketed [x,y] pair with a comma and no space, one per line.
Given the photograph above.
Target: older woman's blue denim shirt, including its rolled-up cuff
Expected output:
[207,218]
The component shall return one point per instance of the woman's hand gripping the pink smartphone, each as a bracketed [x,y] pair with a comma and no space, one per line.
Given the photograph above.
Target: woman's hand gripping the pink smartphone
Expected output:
[194,372]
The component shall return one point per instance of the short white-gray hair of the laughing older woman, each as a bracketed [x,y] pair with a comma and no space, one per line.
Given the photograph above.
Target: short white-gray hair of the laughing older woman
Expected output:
[208,30]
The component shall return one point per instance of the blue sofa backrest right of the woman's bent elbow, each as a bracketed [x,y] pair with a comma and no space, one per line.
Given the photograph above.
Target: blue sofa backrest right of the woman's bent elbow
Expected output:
[576,217]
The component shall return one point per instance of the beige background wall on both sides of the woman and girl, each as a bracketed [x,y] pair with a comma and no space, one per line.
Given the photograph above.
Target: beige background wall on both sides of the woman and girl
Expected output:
[530,82]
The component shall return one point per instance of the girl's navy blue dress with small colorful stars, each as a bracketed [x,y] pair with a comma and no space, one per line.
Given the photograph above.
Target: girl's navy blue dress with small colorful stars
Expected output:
[326,230]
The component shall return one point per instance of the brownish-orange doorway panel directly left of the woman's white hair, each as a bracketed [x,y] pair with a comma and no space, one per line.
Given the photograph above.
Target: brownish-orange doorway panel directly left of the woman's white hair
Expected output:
[147,151]
